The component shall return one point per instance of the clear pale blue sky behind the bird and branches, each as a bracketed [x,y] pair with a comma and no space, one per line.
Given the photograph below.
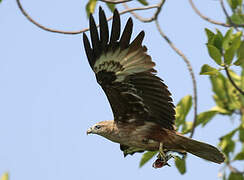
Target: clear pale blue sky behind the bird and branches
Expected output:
[49,96]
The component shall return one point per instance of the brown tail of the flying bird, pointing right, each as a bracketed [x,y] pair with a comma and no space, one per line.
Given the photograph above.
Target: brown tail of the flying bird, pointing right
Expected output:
[200,149]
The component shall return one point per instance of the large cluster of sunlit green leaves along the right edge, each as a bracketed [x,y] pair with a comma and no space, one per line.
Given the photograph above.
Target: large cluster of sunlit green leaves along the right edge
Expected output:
[227,51]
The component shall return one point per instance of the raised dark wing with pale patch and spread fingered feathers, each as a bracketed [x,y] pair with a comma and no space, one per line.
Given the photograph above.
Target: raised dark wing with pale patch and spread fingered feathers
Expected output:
[126,74]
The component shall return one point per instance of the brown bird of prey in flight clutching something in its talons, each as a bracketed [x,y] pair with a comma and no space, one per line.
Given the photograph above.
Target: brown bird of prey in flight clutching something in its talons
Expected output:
[141,103]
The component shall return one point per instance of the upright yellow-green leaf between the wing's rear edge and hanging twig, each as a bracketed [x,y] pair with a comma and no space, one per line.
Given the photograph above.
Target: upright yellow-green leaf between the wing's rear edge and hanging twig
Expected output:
[182,109]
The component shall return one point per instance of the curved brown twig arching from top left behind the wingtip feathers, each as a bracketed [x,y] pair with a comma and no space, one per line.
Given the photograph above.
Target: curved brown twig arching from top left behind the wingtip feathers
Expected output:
[79,31]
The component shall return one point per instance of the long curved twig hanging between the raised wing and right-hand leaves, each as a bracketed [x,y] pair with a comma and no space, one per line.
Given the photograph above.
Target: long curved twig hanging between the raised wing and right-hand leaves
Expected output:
[189,67]
